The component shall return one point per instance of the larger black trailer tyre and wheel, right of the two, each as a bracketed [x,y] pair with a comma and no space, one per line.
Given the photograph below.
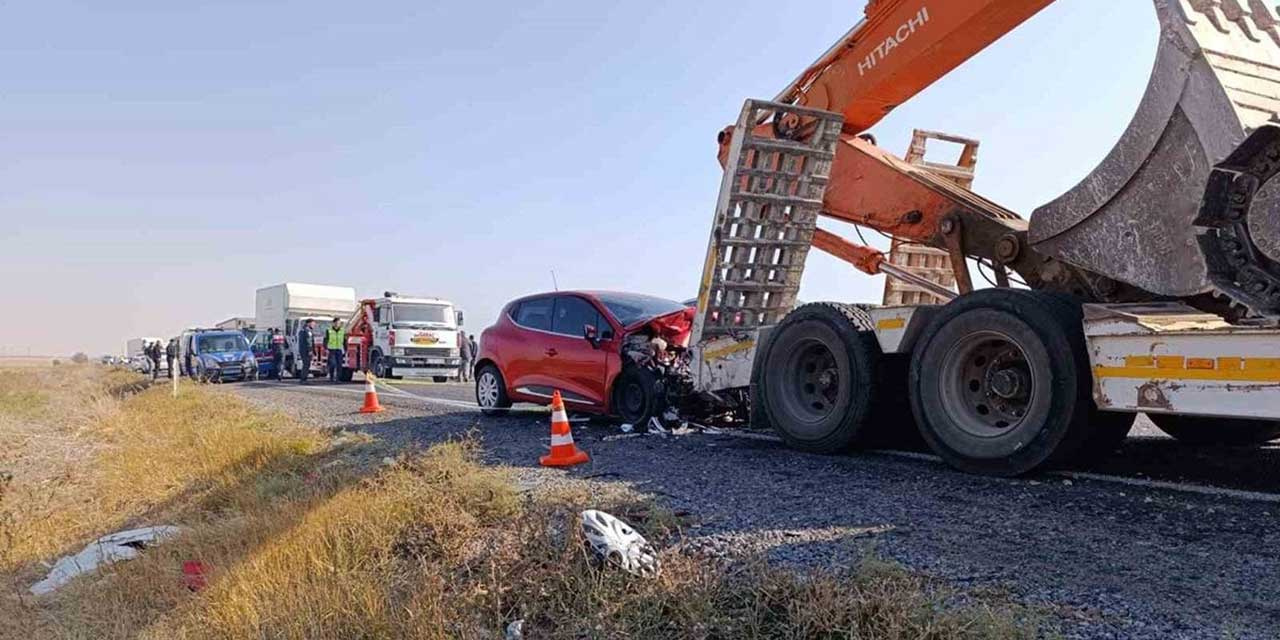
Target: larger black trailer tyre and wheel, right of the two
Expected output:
[1000,383]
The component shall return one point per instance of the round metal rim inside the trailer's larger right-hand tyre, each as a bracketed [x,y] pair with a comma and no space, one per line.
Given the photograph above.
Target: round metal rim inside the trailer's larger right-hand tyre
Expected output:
[988,385]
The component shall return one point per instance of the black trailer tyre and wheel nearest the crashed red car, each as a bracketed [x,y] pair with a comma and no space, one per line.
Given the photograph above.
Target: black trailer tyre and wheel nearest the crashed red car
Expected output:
[820,378]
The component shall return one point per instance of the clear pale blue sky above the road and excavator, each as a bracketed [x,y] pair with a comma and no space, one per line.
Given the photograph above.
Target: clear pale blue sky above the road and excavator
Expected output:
[162,161]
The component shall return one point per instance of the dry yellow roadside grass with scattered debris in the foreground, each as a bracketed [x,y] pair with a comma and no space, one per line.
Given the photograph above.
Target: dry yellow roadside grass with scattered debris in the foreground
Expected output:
[303,542]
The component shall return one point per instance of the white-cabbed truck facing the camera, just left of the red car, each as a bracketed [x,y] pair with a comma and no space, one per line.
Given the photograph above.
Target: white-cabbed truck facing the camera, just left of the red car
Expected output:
[405,337]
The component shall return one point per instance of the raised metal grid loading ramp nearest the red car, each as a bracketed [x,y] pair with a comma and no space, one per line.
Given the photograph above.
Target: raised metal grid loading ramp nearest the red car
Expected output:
[765,220]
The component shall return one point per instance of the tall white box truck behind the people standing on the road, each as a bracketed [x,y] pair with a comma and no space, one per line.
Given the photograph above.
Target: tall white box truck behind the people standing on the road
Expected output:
[287,307]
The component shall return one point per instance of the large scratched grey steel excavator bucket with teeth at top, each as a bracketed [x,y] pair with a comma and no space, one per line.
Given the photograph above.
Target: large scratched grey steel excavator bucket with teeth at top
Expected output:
[1139,217]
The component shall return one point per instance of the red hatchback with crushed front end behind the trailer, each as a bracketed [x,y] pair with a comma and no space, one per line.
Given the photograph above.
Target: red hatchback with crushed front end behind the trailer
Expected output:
[604,351]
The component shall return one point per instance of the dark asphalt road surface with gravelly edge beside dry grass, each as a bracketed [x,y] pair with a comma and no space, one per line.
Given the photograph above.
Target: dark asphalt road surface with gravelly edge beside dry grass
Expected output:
[1105,560]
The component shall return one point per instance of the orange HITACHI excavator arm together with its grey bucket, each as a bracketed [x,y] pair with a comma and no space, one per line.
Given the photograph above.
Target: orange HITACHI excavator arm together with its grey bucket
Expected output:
[1217,81]
